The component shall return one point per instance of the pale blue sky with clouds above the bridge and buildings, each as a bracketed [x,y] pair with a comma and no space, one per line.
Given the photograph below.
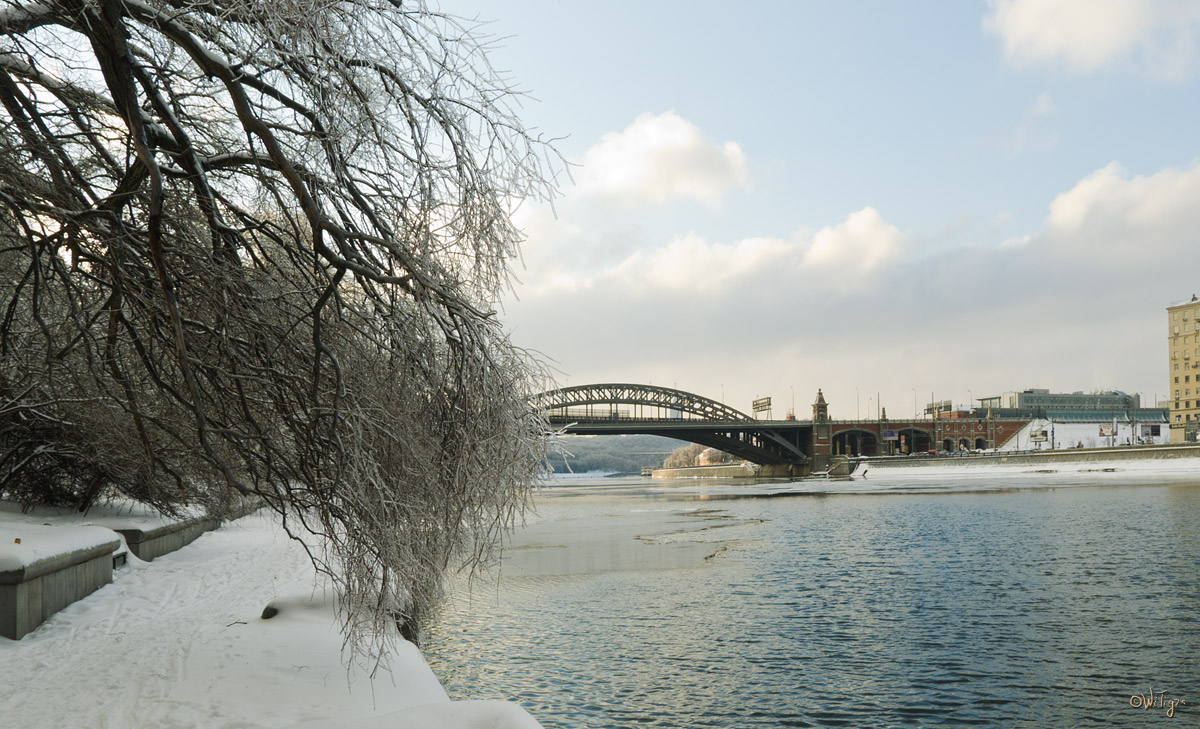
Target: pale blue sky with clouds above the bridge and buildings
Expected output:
[892,202]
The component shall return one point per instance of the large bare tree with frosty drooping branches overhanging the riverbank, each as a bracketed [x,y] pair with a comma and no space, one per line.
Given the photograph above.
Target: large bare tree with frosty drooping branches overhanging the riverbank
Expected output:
[251,248]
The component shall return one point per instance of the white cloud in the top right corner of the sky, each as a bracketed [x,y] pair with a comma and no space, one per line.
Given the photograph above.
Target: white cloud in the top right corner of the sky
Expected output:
[1159,37]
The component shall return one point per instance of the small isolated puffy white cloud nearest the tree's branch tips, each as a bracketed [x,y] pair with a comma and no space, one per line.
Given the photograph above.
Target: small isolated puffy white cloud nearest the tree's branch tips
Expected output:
[661,159]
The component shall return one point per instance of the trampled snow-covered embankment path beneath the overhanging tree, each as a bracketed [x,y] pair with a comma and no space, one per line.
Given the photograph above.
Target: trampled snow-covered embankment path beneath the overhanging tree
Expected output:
[181,643]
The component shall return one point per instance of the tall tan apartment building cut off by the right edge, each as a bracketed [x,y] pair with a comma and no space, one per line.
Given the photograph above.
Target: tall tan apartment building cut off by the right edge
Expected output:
[1184,366]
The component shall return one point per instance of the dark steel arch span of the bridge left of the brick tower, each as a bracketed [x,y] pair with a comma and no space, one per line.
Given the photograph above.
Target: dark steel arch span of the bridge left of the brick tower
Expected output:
[625,409]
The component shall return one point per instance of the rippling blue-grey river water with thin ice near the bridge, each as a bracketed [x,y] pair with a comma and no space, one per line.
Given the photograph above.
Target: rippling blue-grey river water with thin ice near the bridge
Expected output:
[901,600]
